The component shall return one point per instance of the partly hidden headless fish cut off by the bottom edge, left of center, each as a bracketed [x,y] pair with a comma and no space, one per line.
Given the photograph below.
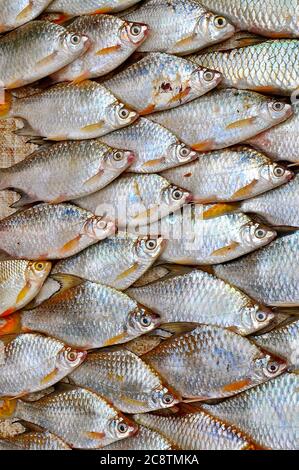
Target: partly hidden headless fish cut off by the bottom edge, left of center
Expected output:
[145,439]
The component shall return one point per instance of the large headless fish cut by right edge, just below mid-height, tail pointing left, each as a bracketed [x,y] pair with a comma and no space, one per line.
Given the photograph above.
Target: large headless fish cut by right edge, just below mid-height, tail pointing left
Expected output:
[270,275]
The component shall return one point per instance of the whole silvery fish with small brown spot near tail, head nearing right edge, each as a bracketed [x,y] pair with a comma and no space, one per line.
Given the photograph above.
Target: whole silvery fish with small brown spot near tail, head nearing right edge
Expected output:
[229,175]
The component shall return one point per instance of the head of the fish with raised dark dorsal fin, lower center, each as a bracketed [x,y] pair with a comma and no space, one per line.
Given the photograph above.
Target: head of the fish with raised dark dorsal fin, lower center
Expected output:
[141,321]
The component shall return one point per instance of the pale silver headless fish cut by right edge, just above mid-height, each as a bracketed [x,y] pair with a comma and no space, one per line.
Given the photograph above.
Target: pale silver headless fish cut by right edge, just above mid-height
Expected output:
[278,207]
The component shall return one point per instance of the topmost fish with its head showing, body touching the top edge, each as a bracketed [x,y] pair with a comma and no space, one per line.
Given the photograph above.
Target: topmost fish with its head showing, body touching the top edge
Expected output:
[186,27]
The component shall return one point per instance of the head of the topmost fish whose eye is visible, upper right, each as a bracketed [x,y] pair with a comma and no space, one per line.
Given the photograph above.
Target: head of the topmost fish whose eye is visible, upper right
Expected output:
[214,28]
